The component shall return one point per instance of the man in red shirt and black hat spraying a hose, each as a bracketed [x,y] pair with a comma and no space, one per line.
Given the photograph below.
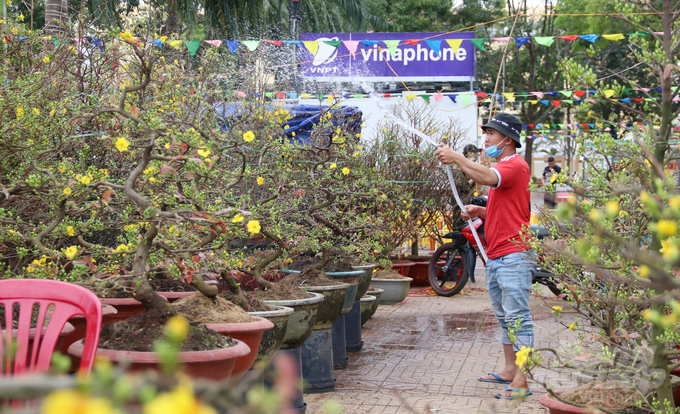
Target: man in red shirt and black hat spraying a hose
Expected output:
[509,270]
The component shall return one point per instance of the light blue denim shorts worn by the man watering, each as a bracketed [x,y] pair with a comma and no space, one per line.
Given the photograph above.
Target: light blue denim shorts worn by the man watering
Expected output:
[508,280]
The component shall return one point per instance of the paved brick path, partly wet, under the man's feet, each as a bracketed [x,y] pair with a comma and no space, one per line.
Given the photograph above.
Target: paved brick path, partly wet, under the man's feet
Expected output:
[425,355]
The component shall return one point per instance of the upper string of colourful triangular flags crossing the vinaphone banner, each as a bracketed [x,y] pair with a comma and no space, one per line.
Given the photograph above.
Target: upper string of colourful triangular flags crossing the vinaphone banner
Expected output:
[435,44]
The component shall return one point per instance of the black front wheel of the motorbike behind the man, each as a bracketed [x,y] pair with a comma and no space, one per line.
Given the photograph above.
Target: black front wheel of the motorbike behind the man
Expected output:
[452,280]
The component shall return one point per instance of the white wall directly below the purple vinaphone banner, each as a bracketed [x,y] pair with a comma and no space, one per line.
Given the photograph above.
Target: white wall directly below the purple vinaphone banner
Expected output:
[444,108]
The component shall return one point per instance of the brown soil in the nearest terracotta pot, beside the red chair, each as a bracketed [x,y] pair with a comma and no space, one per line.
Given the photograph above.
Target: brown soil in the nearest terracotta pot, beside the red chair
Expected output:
[139,332]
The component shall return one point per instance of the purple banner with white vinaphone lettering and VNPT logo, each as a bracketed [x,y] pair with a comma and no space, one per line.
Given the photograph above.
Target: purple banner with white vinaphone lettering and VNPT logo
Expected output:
[368,56]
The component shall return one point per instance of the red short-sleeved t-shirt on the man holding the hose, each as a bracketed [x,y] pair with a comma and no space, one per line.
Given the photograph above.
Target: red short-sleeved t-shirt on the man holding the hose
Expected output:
[508,208]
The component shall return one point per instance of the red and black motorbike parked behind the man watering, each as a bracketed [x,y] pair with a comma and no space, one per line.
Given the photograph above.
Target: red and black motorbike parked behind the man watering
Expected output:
[454,263]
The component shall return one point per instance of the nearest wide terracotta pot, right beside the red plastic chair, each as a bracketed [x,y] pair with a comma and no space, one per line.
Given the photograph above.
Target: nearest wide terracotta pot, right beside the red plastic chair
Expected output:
[216,364]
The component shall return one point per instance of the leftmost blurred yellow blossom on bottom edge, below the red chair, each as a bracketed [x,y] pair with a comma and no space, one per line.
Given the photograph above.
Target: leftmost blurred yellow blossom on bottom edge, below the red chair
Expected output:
[74,402]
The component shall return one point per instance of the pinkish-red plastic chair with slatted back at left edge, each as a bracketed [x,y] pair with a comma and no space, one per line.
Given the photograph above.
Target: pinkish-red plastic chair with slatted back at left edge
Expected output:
[68,299]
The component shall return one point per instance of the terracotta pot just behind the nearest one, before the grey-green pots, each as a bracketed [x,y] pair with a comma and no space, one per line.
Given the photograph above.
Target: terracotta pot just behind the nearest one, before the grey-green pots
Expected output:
[248,332]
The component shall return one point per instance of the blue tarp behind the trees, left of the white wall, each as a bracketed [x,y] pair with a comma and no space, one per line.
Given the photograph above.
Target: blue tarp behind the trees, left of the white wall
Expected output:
[304,118]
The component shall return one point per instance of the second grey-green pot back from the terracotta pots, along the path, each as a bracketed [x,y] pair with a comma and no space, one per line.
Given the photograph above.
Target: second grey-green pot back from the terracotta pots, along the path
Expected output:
[301,321]
